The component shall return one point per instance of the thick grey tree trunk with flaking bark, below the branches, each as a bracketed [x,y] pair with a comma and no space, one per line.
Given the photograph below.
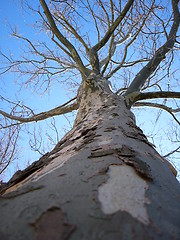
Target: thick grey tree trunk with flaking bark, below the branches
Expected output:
[103,180]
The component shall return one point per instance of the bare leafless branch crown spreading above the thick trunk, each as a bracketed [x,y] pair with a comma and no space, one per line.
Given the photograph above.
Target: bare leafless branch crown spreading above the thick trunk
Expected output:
[133,45]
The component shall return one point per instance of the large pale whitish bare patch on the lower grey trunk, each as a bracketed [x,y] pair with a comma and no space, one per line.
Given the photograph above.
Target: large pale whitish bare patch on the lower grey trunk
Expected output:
[124,191]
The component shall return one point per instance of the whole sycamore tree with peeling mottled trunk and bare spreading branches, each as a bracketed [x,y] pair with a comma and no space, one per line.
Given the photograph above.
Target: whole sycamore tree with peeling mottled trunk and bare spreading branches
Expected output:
[103,179]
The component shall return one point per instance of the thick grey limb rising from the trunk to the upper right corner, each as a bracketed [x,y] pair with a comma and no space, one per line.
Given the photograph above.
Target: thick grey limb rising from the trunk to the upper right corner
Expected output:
[160,54]
